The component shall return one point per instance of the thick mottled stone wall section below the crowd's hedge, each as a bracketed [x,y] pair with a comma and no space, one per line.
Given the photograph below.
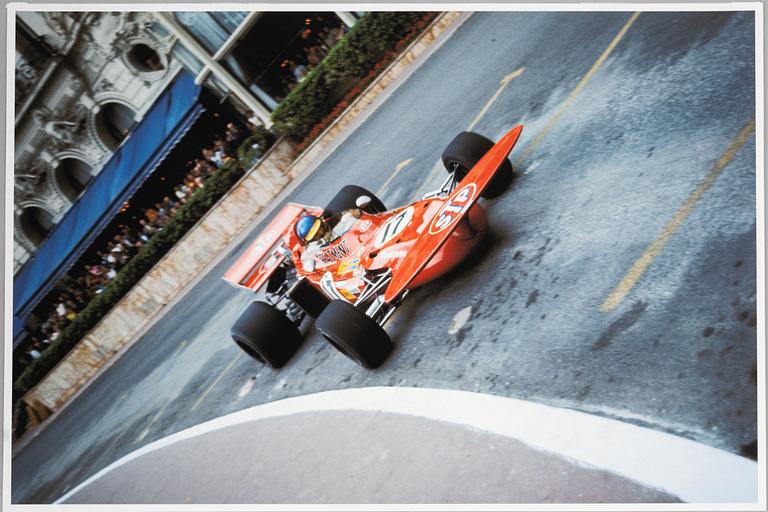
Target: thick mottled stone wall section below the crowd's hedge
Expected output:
[171,274]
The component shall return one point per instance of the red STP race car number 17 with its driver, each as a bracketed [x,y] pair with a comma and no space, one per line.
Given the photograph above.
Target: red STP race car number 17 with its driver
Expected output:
[351,264]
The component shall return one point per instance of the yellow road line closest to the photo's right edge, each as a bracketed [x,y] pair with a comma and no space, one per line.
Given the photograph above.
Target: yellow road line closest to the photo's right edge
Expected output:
[637,270]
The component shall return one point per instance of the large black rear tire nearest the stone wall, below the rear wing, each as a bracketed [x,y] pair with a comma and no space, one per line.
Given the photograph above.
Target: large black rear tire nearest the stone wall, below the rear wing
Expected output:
[266,334]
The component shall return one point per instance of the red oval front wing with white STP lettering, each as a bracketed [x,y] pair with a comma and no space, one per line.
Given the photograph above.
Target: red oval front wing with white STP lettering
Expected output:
[447,218]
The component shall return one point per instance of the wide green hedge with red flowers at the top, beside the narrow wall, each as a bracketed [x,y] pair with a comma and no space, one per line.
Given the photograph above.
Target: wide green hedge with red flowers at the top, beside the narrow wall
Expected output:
[365,45]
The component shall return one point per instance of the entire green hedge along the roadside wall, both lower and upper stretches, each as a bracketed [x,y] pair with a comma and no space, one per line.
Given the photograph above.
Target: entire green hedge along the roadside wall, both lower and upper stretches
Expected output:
[350,65]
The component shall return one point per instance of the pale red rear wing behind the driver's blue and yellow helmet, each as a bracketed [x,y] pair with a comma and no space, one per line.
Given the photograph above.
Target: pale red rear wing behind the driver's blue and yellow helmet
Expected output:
[256,264]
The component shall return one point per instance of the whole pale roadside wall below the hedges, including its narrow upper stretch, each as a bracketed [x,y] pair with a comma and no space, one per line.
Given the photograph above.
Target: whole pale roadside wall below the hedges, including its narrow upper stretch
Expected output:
[199,247]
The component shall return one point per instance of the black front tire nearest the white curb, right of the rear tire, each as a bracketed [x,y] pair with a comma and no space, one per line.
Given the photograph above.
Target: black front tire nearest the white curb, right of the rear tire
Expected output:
[354,334]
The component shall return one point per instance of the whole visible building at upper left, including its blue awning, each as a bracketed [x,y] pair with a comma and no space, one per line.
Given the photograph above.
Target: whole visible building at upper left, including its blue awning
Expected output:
[90,88]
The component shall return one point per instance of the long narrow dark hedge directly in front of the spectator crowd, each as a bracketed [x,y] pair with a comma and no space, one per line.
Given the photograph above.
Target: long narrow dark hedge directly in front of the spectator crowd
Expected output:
[185,217]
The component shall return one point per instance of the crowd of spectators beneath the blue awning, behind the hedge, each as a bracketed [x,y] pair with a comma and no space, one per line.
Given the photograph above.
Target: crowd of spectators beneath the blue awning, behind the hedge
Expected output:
[82,284]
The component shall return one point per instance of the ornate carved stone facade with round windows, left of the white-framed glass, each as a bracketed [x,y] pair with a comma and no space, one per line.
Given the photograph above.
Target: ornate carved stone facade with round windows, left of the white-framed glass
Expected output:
[82,81]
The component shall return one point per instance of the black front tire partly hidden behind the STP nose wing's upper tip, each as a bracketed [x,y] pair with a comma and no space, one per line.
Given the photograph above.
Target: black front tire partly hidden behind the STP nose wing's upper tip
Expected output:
[465,150]
